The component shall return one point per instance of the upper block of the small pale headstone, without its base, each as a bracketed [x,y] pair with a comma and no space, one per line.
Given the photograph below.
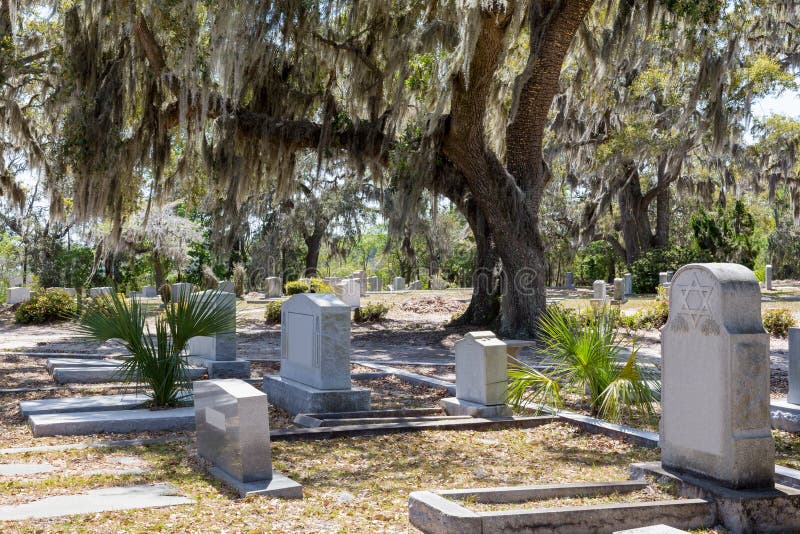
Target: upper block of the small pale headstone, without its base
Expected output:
[481,369]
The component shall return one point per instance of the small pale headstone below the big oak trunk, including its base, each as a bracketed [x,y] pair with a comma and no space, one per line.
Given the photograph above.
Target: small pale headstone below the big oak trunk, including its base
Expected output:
[481,377]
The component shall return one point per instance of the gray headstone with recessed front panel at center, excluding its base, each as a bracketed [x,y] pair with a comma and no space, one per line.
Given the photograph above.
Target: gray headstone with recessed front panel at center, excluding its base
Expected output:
[315,341]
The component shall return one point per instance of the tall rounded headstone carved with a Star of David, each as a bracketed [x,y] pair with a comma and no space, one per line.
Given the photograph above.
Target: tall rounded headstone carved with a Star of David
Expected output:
[715,378]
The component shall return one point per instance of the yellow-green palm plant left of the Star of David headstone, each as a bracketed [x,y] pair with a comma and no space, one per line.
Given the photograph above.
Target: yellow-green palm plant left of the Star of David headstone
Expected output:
[586,361]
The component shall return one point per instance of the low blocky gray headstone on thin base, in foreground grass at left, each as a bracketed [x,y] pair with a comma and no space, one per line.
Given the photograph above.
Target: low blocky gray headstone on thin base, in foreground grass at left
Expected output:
[233,433]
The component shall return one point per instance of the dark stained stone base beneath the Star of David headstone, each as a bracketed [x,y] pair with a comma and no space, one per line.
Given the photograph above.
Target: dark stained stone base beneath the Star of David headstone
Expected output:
[754,510]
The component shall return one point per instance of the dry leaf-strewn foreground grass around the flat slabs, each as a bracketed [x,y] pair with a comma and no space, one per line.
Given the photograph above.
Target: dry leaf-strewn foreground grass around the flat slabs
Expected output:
[358,484]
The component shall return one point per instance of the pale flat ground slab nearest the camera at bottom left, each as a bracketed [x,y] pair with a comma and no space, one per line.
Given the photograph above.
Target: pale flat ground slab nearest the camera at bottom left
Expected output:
[94,501]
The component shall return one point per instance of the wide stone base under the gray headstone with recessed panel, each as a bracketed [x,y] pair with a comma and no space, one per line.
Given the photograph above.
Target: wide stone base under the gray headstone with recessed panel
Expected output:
[295,397]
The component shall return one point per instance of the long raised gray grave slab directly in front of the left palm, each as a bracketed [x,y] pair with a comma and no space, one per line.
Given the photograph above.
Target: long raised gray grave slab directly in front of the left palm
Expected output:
[119,421]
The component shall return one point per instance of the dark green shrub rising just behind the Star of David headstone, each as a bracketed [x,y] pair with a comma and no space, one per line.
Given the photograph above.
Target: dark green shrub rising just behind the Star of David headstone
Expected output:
[727,235]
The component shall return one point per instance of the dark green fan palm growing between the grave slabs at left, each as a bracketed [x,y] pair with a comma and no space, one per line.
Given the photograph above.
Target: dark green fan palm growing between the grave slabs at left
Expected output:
[157,361]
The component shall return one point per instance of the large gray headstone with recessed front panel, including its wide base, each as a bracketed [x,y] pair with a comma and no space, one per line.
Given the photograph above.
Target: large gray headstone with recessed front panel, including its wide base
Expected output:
[315,358]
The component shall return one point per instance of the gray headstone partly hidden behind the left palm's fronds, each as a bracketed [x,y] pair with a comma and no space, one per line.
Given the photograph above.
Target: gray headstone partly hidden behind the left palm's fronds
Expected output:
[218,353]
